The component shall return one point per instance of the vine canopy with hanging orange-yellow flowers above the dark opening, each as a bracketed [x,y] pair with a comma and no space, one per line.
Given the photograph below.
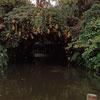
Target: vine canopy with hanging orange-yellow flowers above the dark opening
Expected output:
[37,22]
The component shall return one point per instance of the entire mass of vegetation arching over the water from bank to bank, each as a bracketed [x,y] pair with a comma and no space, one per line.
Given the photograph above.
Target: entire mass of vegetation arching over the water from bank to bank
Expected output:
[74,23]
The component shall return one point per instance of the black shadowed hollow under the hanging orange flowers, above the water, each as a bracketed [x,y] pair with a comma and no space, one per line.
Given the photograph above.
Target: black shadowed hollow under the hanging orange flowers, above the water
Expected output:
[30,53]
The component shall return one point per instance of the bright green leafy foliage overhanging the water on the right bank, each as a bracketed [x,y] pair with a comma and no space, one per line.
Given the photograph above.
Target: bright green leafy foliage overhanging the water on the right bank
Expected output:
[89,39]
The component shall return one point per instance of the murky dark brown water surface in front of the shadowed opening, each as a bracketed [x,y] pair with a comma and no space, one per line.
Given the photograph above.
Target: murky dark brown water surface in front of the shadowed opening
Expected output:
[47,82]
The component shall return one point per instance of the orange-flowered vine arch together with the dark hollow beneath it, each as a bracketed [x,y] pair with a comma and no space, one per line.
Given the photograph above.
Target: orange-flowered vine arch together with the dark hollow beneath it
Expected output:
[38,30]
